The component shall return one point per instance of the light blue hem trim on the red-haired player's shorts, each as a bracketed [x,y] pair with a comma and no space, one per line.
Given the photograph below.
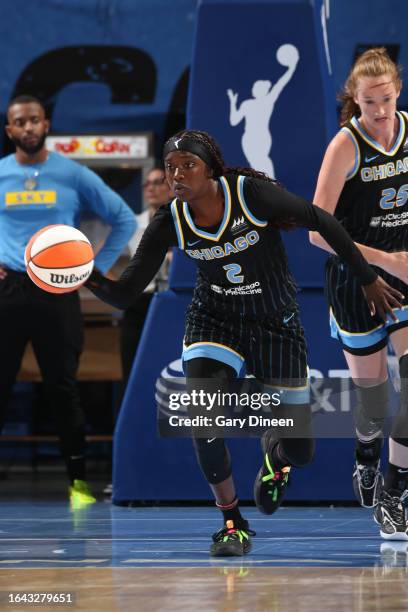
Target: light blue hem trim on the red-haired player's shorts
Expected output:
[362,340]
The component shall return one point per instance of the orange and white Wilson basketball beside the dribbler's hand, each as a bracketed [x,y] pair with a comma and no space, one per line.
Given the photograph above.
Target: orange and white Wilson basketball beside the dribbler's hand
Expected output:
[59,258]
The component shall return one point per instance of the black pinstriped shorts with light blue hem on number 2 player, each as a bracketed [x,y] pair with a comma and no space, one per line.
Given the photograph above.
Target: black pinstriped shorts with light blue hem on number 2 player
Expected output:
[270,348]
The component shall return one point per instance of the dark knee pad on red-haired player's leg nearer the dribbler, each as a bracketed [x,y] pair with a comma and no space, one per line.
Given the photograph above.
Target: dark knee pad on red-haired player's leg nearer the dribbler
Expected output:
[371,411]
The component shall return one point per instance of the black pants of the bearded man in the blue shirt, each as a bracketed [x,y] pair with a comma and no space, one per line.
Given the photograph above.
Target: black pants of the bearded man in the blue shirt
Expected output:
[53,323]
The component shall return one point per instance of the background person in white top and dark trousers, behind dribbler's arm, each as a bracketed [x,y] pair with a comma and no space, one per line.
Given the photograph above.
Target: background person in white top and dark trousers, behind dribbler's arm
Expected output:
[156,192]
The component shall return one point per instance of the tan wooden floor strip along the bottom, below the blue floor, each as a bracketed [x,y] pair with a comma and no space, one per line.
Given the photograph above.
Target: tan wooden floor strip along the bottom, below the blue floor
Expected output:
[217,589]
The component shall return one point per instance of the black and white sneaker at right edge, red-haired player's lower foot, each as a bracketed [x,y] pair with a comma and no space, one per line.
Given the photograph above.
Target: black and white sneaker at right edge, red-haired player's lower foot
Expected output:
[390,515]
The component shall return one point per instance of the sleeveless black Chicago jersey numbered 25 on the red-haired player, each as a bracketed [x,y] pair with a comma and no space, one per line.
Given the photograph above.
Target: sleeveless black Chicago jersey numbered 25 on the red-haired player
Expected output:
[373,205]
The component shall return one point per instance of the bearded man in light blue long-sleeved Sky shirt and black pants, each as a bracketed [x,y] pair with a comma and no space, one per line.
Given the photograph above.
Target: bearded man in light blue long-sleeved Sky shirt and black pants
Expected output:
[39,188]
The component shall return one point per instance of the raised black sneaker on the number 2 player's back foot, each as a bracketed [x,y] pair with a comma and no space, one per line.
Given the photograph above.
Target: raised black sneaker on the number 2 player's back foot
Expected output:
[270,485]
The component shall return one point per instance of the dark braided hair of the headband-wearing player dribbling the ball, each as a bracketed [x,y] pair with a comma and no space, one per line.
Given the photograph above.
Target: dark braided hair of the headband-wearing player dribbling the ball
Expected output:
[215,161]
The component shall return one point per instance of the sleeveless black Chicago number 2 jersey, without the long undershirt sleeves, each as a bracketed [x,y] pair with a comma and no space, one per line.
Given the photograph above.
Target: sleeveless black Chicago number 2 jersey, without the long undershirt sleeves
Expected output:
[242,263]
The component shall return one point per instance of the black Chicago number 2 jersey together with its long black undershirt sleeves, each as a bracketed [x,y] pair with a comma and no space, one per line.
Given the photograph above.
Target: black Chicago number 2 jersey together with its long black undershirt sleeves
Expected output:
[242,261]
